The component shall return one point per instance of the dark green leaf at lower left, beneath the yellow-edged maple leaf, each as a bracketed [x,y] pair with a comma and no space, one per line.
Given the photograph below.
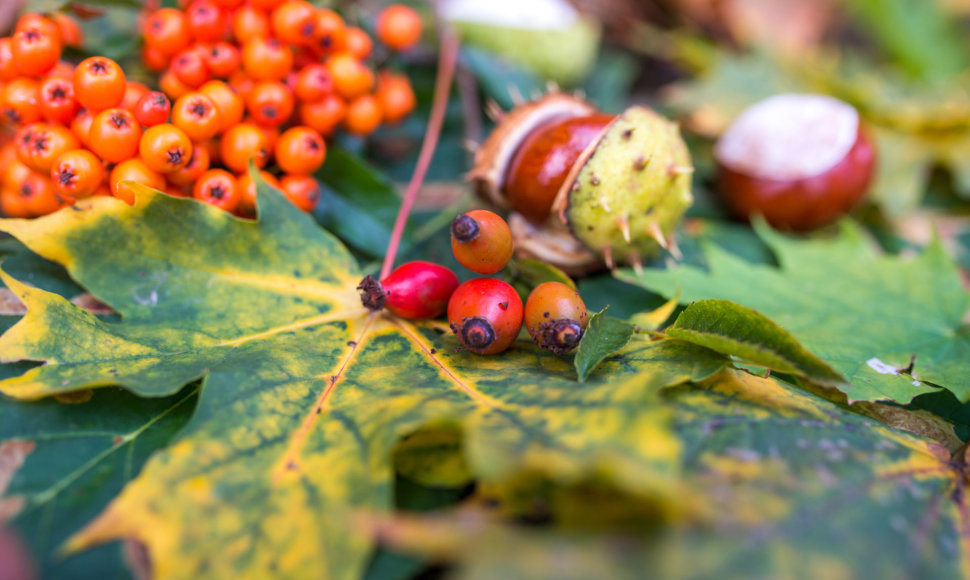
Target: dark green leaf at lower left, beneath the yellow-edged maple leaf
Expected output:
[81,456]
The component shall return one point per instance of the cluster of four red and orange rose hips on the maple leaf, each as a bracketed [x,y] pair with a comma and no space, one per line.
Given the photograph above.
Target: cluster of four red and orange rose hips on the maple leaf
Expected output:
[485,314]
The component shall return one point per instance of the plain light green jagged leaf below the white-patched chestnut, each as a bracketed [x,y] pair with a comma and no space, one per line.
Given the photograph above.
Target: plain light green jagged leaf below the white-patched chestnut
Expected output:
[871,317]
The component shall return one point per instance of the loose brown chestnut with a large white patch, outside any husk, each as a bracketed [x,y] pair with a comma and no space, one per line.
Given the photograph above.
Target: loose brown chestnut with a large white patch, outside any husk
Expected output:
[797,178]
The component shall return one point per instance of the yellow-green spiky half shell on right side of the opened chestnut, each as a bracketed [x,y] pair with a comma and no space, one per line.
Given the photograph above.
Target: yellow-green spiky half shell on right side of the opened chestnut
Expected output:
[639,175]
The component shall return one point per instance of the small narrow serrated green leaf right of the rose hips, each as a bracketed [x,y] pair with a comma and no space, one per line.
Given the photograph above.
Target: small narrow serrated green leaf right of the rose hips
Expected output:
[729,328]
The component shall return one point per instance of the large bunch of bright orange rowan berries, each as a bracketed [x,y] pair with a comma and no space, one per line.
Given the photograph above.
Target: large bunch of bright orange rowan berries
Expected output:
[253,80]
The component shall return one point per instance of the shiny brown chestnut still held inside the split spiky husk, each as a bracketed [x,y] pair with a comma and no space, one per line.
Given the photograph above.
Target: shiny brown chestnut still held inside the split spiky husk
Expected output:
[543,161]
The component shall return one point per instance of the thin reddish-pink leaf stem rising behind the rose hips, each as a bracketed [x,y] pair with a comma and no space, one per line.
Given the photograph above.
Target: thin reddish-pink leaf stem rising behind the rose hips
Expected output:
[447,59]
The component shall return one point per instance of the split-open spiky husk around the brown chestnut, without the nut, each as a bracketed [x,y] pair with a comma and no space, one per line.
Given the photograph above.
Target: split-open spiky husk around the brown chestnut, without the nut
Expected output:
[621,200]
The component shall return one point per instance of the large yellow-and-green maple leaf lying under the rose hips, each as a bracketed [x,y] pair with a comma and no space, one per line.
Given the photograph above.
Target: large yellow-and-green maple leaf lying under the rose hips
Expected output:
[305,393]
